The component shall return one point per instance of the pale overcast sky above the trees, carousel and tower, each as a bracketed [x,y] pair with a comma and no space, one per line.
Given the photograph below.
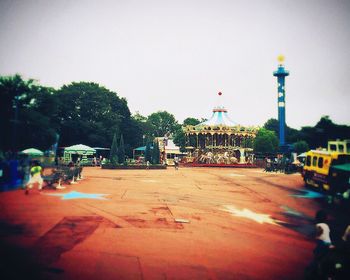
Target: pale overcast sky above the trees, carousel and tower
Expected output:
[177,55]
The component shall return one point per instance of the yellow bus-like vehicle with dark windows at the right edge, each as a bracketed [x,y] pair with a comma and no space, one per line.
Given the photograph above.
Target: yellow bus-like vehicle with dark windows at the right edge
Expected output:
[318,165]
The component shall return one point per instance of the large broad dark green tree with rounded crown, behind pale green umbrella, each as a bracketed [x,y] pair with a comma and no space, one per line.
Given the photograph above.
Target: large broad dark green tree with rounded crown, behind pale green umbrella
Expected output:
[90,114]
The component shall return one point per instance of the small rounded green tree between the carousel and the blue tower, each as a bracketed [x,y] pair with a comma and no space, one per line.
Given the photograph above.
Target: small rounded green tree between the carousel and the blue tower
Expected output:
[266,141]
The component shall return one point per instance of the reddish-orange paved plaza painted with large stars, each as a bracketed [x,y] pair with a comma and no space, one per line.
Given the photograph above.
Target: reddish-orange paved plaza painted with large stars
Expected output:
[194,223]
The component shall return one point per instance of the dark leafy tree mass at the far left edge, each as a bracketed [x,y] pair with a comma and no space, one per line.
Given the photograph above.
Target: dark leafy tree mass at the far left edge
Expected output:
[27,111]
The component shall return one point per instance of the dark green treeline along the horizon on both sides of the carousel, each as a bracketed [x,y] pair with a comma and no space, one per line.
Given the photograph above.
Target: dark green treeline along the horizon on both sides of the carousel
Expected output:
[32,115]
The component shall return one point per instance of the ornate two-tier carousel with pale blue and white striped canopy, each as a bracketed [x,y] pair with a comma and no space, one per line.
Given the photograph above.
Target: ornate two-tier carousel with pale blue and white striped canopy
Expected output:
[219,141]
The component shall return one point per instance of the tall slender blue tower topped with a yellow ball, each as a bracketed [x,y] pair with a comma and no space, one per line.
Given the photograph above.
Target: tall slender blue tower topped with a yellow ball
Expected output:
[281,73]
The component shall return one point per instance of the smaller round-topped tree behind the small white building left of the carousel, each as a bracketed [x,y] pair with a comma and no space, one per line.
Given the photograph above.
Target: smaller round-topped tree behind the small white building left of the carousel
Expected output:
[162,123]
